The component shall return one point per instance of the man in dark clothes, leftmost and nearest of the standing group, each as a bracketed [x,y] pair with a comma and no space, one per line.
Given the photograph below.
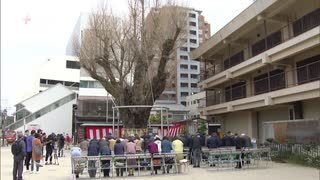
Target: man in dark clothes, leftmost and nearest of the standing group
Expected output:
[18,159]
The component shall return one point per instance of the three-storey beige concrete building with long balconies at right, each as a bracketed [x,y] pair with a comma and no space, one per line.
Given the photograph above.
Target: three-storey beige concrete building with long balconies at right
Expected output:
[263,66]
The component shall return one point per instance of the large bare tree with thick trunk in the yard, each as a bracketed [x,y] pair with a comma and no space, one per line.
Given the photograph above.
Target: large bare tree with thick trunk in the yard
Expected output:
[130,55]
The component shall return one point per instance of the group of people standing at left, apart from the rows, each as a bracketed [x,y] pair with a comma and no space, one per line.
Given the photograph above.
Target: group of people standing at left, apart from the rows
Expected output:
[29,147]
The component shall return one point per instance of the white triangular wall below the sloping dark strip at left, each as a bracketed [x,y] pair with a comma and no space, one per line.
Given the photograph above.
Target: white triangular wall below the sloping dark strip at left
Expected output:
[57,121]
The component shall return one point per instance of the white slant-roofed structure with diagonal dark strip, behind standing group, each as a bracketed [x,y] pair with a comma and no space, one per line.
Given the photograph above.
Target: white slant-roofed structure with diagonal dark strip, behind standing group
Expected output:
[50,110]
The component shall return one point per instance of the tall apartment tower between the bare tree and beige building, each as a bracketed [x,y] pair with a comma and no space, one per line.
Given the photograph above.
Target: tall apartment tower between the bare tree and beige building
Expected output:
[188,70]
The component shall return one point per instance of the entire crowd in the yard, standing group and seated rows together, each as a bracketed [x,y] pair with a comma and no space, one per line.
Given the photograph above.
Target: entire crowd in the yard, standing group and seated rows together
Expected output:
[31,149]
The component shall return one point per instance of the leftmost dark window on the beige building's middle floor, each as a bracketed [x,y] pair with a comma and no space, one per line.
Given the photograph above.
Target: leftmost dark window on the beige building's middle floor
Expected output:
[236,91]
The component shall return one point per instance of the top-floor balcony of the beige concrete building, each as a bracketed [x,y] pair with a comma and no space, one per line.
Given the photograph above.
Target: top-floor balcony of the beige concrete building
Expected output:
[294,37]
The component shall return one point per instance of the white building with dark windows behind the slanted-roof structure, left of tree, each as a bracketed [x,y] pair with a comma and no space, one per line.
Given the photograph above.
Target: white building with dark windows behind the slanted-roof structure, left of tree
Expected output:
[64,70]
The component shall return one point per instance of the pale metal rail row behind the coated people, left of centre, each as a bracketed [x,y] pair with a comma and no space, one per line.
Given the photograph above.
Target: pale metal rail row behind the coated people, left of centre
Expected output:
[142,164]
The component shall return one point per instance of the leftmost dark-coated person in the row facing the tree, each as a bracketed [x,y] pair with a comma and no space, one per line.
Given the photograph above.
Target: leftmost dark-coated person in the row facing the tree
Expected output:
[93,150]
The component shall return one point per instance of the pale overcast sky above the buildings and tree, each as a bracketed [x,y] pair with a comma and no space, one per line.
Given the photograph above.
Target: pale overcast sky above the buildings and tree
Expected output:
[26,46]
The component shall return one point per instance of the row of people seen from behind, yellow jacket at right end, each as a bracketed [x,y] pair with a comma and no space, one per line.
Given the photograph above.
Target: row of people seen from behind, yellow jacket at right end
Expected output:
[130,145]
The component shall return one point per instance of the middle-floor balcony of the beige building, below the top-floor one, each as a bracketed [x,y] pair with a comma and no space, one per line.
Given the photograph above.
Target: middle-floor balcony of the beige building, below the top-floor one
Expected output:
[277,88]
